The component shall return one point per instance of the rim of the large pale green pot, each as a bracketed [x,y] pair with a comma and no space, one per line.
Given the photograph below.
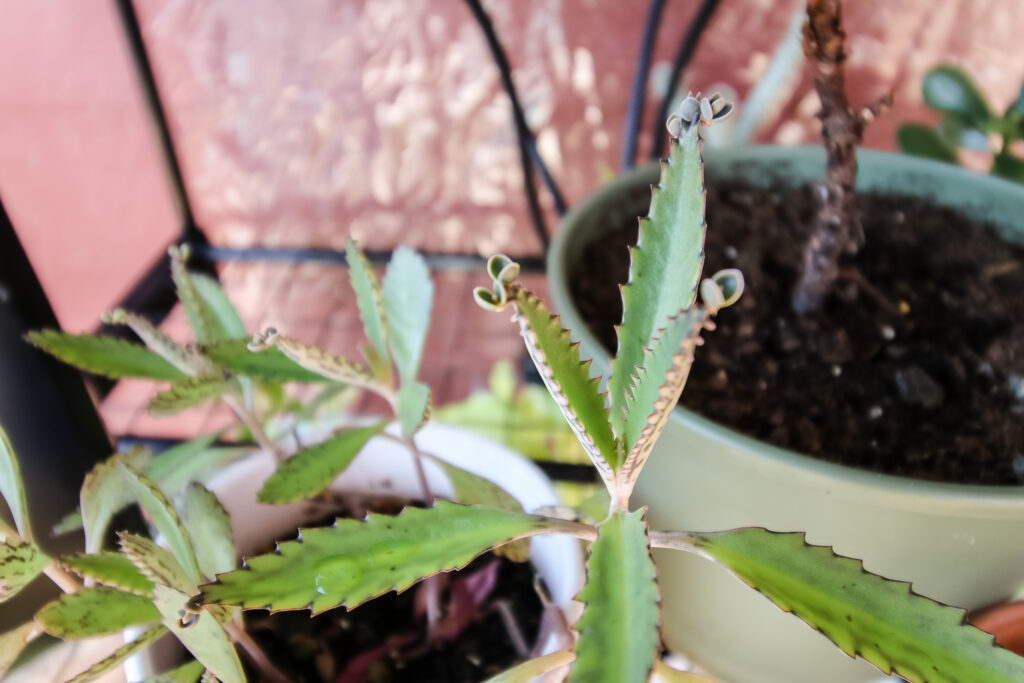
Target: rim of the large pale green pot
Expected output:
[982,198]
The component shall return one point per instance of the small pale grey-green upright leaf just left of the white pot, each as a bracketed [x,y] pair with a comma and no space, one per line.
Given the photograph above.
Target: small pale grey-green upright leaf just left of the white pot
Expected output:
[209,529]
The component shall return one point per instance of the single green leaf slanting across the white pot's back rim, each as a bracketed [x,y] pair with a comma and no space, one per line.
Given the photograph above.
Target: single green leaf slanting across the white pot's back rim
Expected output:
[312,471]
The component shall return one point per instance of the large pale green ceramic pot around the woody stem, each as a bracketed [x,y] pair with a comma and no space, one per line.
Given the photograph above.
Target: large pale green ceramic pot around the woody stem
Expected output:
[963,545]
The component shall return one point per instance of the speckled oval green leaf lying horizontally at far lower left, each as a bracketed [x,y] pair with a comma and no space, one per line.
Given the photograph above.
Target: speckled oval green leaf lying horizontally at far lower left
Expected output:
[96,612]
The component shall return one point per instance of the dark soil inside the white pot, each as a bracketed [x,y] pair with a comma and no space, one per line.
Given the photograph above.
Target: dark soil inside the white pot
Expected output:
[386,641]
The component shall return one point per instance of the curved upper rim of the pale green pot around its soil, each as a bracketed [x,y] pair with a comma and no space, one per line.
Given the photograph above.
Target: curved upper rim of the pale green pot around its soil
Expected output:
[720,161]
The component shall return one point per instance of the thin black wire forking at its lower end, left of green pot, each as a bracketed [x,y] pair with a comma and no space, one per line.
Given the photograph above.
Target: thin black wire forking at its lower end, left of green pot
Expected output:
[528,149]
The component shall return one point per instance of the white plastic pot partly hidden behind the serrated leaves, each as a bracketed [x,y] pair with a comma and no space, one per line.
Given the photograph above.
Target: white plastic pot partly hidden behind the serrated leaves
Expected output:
[387,468]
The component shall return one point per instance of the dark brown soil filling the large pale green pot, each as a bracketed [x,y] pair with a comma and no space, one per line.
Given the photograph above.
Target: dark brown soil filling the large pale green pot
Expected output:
[915,366]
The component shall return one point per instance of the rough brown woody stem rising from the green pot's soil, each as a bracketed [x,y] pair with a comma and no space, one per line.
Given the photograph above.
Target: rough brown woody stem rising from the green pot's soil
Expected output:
[837,228]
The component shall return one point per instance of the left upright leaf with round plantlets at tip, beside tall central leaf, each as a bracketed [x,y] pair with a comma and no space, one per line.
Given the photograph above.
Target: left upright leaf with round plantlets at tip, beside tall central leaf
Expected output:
[568,379]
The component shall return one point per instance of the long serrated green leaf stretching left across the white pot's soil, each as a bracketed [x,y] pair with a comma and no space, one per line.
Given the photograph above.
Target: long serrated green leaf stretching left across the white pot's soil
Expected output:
[353,562]
